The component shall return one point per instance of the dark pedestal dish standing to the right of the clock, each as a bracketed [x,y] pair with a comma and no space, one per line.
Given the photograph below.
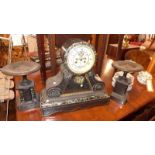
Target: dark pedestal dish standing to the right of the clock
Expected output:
[119,93]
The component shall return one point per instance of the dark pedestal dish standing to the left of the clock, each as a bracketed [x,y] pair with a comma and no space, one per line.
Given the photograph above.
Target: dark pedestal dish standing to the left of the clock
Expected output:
[28,98]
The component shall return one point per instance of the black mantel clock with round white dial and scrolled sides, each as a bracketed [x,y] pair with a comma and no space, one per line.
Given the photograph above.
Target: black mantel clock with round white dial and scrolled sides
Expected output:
[76,85]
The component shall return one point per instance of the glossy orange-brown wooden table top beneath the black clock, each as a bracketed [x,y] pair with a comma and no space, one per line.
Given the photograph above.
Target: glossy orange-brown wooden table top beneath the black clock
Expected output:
[137,98]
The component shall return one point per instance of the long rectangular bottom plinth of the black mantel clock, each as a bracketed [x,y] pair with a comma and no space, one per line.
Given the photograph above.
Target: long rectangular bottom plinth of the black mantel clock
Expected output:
[72,102]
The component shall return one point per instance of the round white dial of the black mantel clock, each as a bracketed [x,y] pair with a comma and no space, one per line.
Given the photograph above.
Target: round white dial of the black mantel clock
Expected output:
[81,58]
